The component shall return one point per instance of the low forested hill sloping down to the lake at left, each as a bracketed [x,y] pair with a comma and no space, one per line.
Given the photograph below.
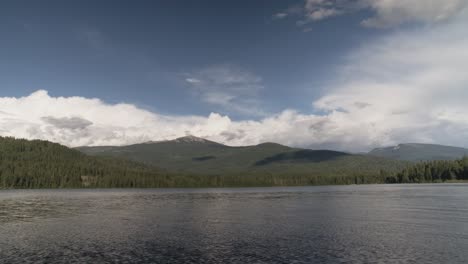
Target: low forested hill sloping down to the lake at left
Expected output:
[42,164]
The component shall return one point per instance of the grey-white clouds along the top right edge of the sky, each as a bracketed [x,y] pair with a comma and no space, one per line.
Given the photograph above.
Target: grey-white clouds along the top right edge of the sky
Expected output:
[386,13]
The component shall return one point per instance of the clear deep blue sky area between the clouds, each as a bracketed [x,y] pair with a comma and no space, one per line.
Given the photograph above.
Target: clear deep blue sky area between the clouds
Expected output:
[140,51]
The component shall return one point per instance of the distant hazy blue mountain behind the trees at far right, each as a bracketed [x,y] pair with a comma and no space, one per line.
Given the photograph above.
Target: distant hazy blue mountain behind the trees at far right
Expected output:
[420,152]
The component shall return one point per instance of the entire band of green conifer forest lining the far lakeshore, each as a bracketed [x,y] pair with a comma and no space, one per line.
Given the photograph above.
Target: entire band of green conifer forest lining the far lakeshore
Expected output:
[37,164]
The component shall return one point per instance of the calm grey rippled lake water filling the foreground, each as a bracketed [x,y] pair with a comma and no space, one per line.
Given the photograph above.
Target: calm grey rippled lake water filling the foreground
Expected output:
[332,224]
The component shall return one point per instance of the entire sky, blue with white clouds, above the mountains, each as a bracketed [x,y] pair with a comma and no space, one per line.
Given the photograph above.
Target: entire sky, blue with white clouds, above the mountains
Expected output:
[348,75]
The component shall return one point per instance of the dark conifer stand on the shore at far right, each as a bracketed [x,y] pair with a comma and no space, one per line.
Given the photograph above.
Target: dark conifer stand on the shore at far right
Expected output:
[433,171]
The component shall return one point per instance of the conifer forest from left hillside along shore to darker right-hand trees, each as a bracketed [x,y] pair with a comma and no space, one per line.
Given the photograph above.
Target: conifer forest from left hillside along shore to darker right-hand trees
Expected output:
[42,164]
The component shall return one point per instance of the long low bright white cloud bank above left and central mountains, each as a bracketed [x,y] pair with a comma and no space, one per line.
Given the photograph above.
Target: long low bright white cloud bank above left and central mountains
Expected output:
[77,121]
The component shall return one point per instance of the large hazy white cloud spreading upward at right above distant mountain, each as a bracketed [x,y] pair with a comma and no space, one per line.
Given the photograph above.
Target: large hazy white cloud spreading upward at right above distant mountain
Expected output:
[409,86]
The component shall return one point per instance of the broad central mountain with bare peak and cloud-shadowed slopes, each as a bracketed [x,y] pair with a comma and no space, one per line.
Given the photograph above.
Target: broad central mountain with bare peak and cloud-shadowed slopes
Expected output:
[201,156]
